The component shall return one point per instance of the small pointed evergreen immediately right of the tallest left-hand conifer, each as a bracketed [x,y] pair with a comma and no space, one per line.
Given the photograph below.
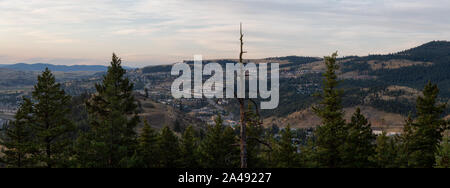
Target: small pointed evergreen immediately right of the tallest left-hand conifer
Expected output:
[148,146]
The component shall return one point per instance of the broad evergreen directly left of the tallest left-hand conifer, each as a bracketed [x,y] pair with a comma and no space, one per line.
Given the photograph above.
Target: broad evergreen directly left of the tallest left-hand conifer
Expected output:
[52,128]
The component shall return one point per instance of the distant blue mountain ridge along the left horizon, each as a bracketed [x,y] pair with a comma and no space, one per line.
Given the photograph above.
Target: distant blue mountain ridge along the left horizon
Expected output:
[61,68]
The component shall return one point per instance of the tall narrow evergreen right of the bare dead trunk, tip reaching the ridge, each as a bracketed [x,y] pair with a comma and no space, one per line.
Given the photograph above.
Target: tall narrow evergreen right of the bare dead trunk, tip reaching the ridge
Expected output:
[332,133]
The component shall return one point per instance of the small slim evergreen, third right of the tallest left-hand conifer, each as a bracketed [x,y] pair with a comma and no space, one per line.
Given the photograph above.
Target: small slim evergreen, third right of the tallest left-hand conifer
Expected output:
[189,148]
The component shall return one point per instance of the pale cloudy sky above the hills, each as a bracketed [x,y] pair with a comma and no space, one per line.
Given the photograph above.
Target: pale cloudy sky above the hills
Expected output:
[151,32]
